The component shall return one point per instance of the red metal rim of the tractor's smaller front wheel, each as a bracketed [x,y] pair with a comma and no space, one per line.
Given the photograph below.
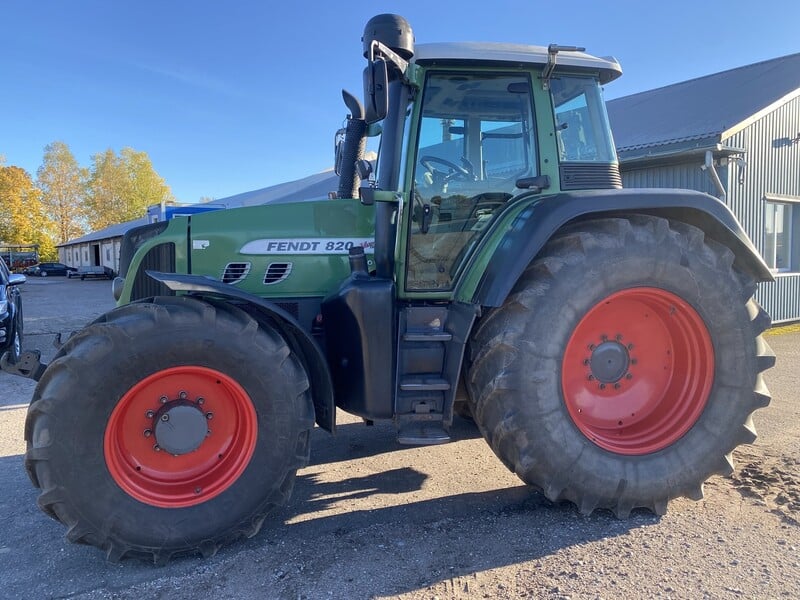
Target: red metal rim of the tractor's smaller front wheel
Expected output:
[196,397]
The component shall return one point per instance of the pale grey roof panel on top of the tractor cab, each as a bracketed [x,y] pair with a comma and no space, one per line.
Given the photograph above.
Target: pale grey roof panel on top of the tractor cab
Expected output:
[498,53]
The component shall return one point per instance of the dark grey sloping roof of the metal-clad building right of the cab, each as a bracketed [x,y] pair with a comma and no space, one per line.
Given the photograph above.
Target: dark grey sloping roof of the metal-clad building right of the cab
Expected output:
[702,111]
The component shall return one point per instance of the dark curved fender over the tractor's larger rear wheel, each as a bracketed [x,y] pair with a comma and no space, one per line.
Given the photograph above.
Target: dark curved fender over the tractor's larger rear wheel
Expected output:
[537,223]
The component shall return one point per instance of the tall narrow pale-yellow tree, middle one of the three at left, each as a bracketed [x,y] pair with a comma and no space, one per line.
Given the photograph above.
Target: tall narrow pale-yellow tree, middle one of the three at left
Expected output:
[63,183]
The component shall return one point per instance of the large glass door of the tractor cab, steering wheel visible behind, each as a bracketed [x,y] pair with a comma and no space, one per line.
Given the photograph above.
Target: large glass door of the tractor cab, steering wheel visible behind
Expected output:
[475,138]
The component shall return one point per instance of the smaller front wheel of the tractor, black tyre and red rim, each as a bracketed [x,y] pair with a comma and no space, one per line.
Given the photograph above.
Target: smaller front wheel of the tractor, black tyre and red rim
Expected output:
[168,428]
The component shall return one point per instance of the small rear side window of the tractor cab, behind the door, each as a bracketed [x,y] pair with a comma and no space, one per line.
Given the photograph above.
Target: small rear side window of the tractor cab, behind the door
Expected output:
[582,128]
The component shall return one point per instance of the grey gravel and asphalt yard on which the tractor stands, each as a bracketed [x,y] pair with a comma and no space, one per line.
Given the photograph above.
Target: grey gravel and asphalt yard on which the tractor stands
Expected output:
[372,519]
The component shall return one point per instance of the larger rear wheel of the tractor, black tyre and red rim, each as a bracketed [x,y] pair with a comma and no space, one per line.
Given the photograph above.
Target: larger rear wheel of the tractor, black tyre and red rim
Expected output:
[624,367]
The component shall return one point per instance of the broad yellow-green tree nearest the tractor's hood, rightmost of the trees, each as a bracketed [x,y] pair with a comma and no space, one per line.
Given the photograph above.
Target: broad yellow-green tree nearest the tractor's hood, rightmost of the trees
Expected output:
[121,187]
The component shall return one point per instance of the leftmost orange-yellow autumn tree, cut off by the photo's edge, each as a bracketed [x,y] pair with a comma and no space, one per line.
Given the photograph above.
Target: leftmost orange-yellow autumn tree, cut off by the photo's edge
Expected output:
[22,214]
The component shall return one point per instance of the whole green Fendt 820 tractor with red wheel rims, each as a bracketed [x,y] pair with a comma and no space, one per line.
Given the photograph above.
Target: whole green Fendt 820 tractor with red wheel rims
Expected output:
[604,340]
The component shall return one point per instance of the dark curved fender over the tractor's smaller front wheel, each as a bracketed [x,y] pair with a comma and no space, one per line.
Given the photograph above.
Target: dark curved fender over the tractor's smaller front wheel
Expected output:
[301,343]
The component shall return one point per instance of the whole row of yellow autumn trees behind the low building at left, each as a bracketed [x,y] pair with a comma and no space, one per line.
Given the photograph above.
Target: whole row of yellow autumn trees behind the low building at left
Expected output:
[66,200]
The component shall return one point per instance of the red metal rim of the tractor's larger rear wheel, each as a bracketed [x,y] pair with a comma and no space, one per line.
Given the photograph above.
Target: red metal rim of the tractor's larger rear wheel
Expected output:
[637,371]
